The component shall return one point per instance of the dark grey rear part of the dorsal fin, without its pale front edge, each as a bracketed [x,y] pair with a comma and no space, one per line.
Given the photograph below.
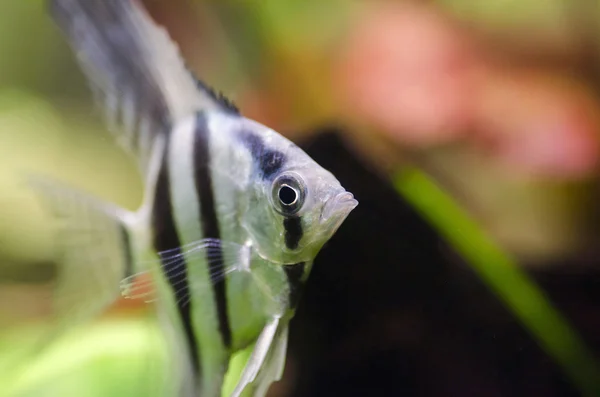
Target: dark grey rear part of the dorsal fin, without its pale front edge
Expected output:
[108,39]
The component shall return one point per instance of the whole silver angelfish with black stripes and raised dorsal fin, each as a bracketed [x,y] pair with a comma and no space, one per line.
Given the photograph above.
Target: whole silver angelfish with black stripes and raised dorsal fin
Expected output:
[232,217]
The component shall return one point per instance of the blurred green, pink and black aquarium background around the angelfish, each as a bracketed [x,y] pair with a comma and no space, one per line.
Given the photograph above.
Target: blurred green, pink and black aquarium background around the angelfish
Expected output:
[469,132]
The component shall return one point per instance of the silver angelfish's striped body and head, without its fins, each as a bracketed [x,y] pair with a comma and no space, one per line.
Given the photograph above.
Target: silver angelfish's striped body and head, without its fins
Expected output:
[223,178]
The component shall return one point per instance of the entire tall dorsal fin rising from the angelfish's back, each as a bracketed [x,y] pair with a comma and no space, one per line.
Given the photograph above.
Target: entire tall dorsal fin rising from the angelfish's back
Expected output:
[135,70]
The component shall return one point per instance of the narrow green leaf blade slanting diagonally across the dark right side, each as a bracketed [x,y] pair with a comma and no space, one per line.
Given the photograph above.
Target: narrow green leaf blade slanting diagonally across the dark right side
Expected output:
[504,276]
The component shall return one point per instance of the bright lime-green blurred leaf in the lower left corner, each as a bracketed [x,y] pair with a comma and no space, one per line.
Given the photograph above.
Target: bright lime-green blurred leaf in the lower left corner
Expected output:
[119,357]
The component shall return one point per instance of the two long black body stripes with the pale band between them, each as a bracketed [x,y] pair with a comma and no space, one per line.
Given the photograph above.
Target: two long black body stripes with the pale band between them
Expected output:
[184,212]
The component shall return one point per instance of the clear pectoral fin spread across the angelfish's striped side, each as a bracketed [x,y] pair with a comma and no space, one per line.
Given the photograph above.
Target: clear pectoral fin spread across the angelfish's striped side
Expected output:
[235,257]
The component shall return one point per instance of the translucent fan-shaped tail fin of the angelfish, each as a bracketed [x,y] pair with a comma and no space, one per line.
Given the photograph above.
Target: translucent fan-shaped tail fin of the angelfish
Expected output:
[92,255]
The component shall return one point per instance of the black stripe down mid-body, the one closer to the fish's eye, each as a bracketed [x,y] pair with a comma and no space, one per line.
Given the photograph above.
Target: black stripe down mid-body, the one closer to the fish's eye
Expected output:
[209,221]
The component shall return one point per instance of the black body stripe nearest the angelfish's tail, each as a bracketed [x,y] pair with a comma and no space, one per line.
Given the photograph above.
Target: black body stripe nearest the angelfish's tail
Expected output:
[166,238]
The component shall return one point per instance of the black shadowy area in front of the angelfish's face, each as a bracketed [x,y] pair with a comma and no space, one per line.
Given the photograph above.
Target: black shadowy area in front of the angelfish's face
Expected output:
[390,310]
